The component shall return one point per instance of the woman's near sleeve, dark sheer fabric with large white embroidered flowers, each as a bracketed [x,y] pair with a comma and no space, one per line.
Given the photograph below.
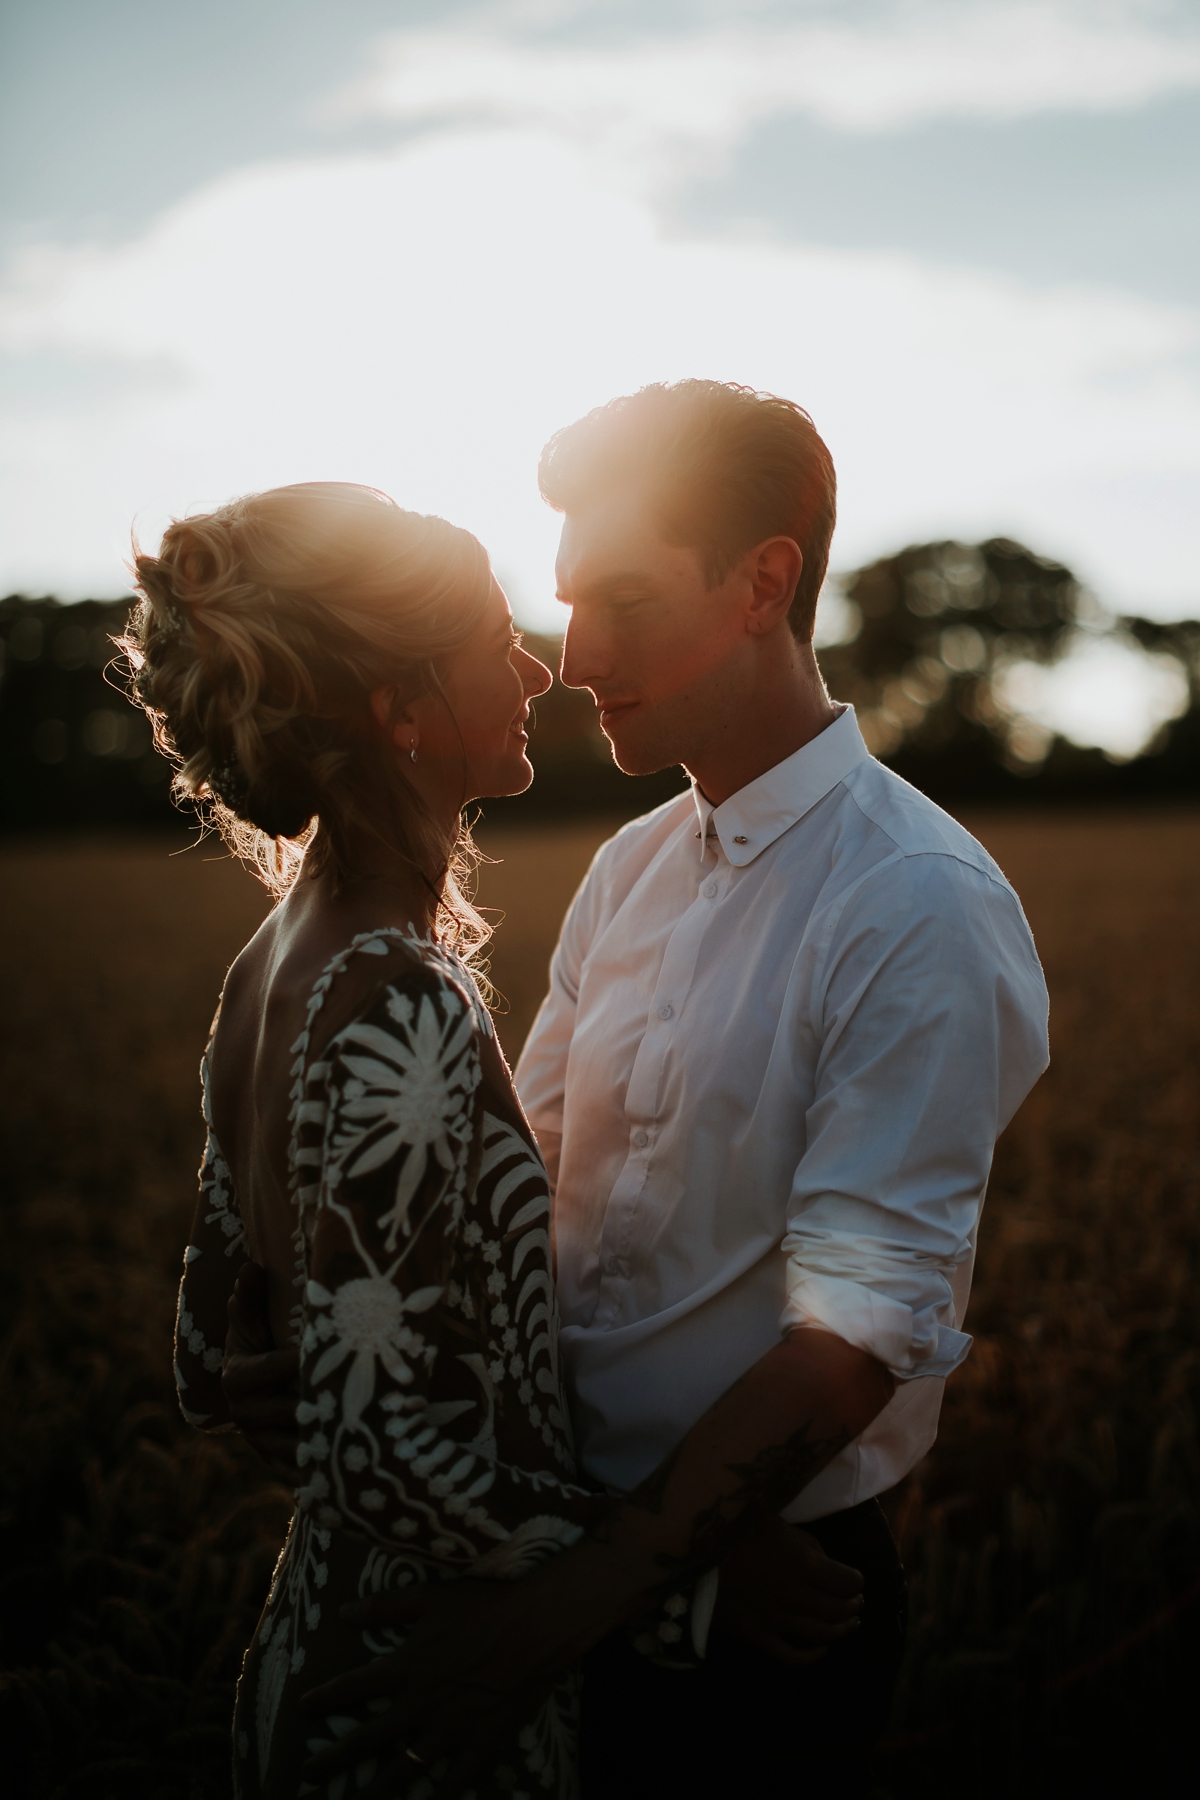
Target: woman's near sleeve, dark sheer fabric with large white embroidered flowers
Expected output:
[418,1277]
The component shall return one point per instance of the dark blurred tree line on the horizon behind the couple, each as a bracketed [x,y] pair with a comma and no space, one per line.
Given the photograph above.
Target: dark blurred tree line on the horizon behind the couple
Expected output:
[931,640]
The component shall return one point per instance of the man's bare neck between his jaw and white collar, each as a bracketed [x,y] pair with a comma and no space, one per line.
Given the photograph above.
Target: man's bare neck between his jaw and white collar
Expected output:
[780,719]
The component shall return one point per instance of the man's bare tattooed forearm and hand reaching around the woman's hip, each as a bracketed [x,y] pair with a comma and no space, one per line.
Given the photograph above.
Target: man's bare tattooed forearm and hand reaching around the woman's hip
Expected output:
[483,1655]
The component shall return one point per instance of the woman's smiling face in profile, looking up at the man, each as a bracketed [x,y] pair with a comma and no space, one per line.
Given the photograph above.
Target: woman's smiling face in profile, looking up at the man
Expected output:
[488,683]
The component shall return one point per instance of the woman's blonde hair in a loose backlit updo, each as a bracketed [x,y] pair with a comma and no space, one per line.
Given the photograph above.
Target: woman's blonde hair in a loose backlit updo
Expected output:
[260,636]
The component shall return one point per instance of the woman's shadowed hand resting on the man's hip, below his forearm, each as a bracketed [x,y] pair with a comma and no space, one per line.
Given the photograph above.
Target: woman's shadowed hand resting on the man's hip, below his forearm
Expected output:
[785,1596]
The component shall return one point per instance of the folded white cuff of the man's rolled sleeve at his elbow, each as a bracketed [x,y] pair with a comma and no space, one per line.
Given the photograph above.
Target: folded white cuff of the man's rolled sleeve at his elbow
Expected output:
[908,1344]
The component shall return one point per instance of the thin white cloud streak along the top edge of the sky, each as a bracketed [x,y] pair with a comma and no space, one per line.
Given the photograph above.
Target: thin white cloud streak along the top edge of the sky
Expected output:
[661,102]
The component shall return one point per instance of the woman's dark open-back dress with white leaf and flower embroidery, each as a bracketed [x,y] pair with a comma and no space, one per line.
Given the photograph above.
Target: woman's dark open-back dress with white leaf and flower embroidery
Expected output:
[434,1435]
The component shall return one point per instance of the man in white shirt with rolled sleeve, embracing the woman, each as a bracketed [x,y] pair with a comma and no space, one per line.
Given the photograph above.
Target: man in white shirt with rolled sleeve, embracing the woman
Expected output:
[789,1016]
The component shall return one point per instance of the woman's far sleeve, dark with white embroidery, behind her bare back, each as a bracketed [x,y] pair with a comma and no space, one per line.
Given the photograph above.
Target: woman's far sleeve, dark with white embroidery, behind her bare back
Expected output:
[211,1263]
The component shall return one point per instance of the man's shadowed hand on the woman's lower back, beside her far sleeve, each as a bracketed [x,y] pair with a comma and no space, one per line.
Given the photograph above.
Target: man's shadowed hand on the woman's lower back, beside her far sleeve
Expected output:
[260,1381]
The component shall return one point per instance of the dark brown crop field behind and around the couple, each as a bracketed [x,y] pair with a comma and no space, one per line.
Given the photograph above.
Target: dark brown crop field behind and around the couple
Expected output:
[1053,1536]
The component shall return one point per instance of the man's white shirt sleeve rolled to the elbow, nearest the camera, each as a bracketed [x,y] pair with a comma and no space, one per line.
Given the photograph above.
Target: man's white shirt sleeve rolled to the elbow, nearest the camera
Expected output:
[931,1016]
